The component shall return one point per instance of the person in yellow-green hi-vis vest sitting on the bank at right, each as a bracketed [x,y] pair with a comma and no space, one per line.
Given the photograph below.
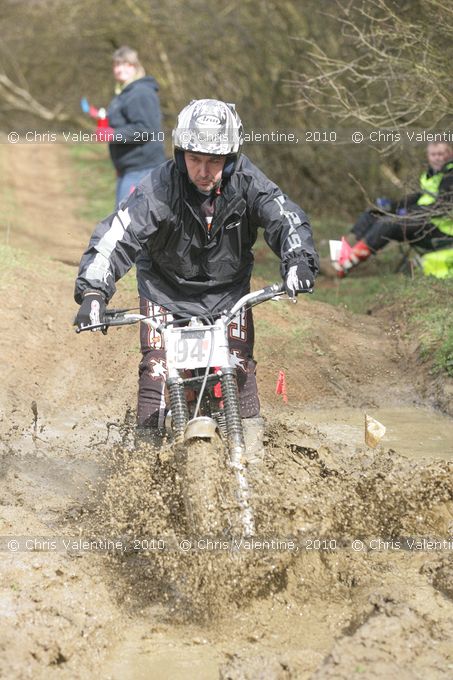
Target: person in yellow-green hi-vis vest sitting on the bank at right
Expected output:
[420,218]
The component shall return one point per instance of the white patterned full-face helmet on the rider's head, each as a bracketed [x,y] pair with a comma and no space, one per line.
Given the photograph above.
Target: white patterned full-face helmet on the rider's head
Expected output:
[208,126]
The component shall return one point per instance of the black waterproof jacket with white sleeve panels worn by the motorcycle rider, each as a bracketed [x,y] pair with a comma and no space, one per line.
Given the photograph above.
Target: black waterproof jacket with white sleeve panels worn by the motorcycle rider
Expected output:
[178,265]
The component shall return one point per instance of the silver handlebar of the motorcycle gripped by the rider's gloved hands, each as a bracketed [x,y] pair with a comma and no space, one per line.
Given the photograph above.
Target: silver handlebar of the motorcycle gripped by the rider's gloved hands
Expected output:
[121,317]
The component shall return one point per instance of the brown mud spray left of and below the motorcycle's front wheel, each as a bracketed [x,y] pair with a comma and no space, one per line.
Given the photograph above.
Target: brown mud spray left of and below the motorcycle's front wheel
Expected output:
[198,581]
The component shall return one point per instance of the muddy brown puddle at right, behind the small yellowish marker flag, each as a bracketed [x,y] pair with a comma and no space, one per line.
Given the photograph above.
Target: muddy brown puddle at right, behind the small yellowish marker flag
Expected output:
[412,432]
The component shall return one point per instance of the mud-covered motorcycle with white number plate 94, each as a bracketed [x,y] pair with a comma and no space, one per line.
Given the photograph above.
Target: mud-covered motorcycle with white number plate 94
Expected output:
[204,420]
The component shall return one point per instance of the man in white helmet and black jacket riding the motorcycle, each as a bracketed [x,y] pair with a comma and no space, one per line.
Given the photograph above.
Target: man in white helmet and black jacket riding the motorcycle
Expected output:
[189,227]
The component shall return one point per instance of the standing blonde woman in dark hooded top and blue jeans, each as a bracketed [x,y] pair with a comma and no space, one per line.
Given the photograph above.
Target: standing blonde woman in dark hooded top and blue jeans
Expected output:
[134,114]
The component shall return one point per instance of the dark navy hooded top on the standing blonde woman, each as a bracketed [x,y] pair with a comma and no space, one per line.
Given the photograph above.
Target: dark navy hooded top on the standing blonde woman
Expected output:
[135,115]
